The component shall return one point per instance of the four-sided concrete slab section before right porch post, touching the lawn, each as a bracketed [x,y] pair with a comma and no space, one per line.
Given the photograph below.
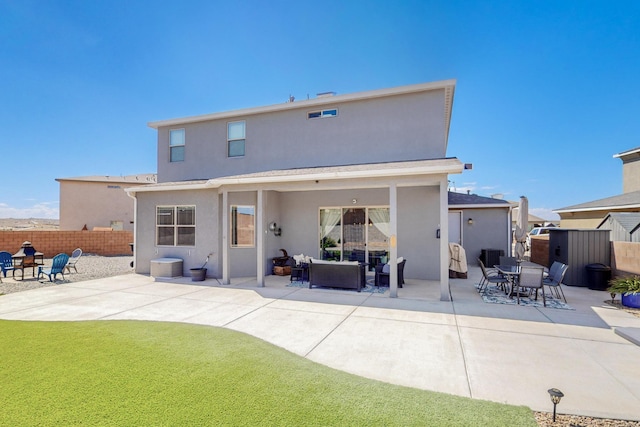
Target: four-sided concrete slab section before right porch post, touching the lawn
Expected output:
[414,354]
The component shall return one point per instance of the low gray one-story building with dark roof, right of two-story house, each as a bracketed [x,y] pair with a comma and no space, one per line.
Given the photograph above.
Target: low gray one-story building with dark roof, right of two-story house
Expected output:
[478,223]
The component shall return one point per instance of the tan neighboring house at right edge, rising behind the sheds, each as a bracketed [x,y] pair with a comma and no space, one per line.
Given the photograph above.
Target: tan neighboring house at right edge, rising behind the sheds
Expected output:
[591,214]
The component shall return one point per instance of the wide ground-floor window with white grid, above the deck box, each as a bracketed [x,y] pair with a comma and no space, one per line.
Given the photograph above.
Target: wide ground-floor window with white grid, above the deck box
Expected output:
[176,225]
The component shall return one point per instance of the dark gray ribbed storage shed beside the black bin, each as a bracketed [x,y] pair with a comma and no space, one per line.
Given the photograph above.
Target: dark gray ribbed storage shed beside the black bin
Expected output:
[577,249]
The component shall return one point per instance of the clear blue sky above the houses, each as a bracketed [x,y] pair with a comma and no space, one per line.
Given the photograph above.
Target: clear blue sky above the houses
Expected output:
[547,91]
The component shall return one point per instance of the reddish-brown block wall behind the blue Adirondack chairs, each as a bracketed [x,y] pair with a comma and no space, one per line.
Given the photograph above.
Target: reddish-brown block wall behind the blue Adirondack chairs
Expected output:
[52,242]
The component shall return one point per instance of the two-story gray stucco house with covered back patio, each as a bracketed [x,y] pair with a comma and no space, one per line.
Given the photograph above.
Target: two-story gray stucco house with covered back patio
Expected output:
[356,176]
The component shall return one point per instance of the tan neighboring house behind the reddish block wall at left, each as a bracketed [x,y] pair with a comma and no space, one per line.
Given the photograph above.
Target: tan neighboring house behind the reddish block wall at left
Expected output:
[98,201]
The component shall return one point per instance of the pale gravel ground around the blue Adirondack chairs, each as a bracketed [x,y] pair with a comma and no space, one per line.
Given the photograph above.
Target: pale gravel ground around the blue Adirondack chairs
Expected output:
[89,267]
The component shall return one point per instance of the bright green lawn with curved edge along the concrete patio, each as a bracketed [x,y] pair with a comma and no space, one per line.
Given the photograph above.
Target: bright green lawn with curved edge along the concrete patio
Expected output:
[152,373]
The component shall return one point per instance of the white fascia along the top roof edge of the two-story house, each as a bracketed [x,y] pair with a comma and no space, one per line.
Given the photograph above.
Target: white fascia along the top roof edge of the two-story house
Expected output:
[448,85]
